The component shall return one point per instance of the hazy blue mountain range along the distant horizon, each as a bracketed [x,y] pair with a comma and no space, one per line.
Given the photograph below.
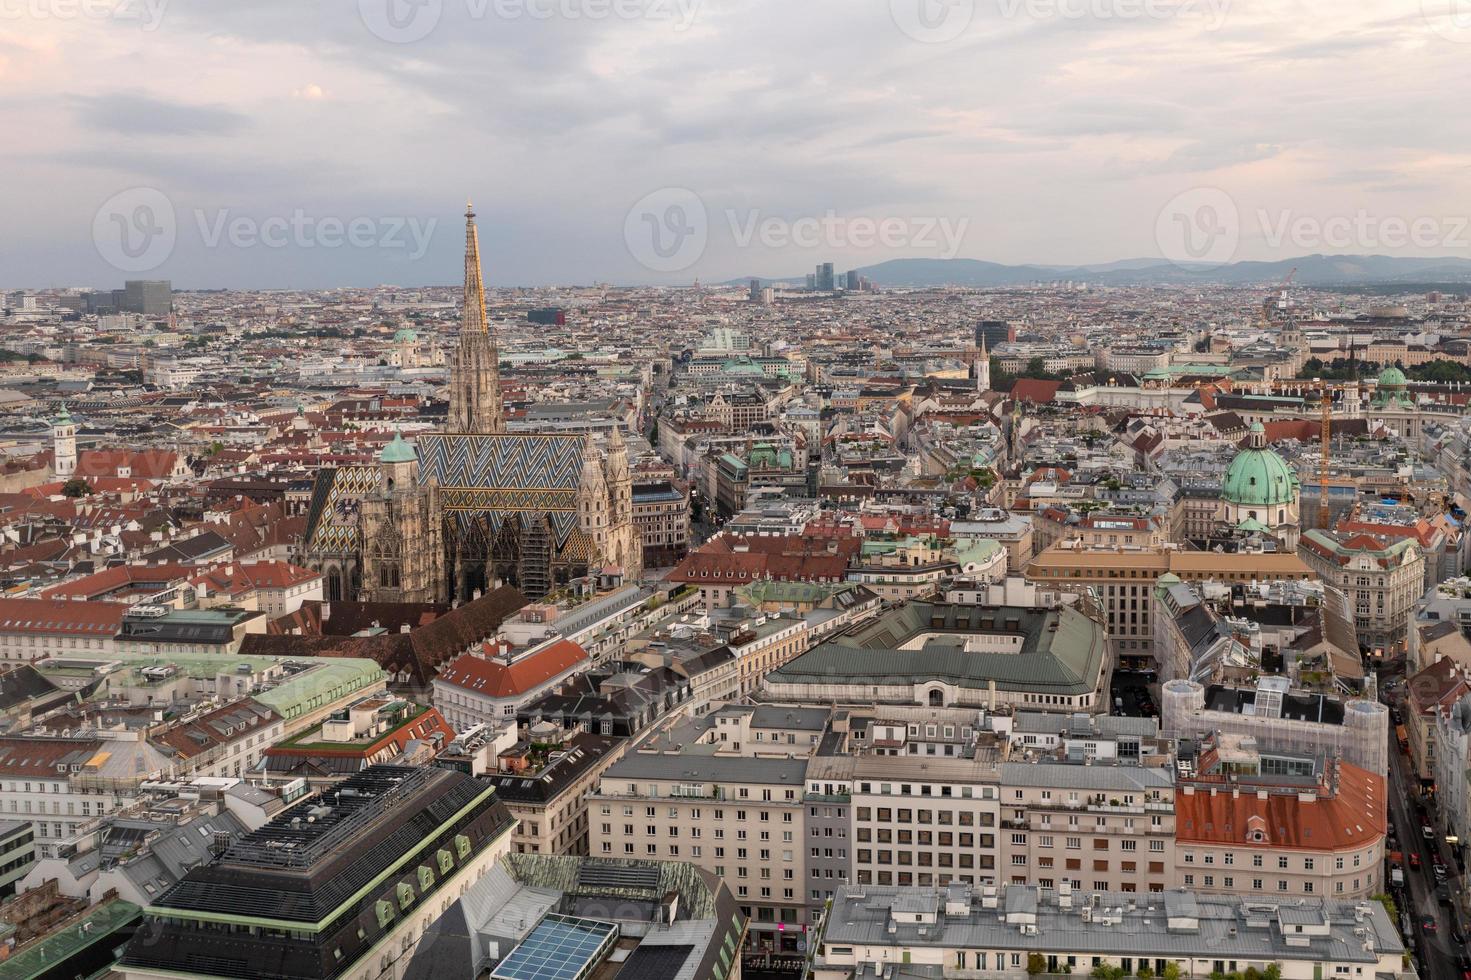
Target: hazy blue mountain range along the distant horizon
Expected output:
[1313,270]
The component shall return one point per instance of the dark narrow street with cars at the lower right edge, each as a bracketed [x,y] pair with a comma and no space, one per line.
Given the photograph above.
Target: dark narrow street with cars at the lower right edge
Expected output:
[1436,953]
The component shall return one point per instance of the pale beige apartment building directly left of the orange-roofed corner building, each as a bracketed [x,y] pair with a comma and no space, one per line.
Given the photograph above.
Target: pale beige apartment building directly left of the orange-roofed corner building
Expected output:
[1097,828]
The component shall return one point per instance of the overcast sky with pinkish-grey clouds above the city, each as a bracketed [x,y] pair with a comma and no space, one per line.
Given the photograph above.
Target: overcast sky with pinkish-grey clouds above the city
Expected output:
[316,143]
